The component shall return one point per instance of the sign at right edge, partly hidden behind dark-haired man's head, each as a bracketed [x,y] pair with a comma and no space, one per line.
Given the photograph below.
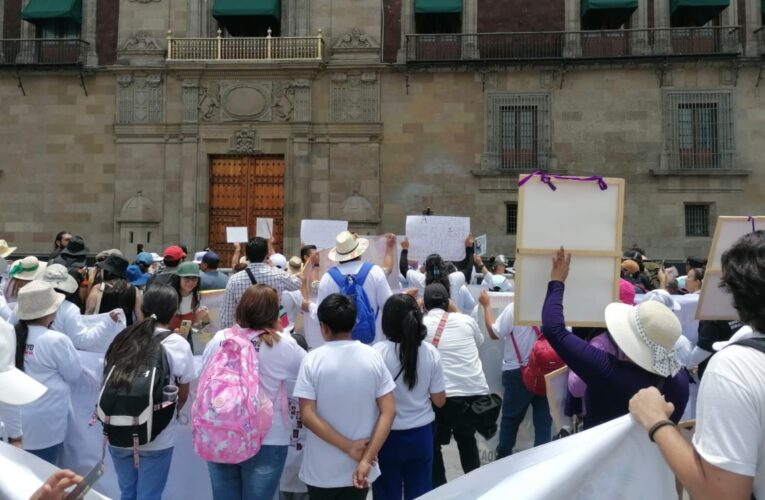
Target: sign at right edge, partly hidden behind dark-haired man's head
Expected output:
[714,302]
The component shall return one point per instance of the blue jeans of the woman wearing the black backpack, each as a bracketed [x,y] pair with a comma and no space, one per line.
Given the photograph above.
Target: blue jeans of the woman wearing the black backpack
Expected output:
[147,481]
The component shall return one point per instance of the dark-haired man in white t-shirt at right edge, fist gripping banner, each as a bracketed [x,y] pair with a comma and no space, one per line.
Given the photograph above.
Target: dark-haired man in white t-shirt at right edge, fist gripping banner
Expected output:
[727,456]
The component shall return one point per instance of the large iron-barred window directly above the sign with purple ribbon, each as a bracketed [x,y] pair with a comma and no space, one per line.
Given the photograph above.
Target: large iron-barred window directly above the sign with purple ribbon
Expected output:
[517,131]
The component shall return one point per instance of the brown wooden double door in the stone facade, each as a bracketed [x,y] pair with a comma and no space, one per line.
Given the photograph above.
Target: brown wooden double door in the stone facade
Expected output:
[242,189]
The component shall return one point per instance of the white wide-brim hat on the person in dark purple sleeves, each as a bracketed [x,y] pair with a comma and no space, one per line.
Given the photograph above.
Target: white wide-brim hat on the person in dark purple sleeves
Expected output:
[646,333]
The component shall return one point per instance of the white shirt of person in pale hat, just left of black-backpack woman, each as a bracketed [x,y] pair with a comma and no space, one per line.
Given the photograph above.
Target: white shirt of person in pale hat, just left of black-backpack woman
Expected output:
[91,333]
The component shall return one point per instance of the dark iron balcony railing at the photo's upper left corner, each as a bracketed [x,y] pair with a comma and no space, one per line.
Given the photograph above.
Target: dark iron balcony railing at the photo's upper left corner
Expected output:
[42,52]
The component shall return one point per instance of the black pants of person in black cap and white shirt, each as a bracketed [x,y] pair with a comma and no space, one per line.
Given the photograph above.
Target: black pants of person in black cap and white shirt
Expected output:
[451,420]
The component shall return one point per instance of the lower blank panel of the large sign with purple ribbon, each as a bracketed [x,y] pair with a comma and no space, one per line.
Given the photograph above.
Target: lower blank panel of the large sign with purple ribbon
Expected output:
[582,305]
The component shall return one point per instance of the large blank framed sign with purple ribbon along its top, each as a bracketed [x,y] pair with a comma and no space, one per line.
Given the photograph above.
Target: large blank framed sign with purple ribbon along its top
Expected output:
[587,221]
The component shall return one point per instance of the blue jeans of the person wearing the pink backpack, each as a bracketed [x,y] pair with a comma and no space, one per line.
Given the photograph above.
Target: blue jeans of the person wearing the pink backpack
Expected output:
[254,479]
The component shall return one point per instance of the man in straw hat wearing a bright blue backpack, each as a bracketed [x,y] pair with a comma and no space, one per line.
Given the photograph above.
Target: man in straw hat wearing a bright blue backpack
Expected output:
[347,253]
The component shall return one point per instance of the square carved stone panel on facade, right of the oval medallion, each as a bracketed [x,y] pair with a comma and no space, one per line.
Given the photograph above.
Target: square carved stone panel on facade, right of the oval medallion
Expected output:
[355,97]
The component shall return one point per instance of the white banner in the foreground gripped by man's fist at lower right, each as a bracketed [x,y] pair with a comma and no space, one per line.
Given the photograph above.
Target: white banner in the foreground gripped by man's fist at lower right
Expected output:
[613,460]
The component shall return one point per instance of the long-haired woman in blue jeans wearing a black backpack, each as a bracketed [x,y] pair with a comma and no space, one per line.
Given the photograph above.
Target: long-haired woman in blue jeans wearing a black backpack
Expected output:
[125,356]
